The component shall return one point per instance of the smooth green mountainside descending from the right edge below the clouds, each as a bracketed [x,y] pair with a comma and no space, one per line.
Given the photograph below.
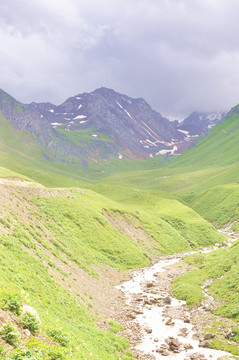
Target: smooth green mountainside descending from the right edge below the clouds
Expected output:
[213,161]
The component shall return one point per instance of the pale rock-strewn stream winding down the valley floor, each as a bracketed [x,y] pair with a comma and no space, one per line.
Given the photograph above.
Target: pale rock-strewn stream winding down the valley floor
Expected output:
[165,323]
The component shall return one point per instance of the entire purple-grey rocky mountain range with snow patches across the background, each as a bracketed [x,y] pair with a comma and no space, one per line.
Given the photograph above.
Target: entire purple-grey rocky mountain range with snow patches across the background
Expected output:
[99,126]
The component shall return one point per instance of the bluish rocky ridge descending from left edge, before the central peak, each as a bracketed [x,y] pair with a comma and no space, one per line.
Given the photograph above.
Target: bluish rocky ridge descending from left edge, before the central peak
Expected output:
[27,125]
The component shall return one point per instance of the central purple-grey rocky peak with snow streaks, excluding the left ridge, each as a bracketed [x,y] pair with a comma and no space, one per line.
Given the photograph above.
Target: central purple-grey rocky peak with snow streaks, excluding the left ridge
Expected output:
[129,127]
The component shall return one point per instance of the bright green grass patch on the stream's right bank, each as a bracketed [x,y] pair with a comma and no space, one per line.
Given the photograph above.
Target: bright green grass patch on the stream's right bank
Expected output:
[221,265]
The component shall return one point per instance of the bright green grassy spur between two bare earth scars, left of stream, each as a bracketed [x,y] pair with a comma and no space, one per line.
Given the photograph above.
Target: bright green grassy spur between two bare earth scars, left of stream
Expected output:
[81,228]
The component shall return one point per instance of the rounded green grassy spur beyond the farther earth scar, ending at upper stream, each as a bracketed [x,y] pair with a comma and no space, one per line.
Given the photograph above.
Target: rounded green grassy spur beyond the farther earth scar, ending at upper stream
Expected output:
[155,208]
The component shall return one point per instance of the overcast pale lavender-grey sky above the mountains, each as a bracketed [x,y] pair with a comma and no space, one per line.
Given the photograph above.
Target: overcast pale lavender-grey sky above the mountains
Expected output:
[180,55]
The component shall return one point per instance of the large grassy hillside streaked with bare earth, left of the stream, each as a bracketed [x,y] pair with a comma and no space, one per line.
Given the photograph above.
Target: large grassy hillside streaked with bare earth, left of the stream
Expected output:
[33,260]
